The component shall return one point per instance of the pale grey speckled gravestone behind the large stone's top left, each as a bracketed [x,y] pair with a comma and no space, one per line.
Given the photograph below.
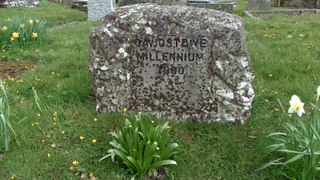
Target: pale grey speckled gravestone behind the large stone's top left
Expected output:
[97,9]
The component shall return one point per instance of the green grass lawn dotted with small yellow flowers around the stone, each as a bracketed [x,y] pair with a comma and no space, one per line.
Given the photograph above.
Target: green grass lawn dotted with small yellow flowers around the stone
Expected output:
[285,54]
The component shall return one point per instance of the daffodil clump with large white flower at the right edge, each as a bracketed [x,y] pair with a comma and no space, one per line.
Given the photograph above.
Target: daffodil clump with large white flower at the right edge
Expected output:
[299,144]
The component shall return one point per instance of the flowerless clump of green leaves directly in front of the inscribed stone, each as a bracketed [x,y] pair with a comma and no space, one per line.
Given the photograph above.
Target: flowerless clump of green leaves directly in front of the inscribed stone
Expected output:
[143,147]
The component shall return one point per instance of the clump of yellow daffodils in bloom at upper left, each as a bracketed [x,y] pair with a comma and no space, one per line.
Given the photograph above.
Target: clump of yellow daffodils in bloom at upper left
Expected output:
[21,31]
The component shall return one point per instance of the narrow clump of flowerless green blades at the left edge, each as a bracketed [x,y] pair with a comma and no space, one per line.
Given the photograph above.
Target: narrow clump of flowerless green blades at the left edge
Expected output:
[5,125]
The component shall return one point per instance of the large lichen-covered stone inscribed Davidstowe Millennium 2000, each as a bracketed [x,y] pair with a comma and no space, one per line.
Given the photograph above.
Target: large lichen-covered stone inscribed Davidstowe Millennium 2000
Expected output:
[177,62]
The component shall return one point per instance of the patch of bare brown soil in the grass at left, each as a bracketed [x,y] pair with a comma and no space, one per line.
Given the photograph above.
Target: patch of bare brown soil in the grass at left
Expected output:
[13,69]
